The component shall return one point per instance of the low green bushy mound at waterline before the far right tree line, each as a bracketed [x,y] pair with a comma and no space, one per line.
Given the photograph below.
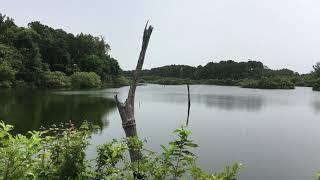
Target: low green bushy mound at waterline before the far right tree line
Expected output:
[268,83]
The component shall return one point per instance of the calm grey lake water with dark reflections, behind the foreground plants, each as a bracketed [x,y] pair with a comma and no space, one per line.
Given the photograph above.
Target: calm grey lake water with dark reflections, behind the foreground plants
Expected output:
[273,133]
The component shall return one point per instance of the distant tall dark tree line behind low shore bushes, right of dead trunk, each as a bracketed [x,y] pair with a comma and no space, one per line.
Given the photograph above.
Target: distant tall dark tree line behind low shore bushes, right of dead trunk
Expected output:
[217,70]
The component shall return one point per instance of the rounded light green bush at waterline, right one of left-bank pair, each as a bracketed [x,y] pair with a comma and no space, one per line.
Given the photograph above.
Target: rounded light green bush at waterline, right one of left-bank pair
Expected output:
[85,80]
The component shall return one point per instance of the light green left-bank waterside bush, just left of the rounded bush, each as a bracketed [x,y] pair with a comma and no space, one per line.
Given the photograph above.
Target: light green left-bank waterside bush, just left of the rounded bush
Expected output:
[55,79]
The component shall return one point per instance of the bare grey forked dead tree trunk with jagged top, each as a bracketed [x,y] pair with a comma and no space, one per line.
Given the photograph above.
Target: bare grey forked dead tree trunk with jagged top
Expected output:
[126,109]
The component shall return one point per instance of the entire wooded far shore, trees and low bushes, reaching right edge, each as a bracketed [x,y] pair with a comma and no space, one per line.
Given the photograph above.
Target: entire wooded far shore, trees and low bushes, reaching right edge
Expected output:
[251,74]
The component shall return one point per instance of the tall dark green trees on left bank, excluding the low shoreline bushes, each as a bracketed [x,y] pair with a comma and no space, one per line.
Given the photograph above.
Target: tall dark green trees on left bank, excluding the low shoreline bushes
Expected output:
[37,48]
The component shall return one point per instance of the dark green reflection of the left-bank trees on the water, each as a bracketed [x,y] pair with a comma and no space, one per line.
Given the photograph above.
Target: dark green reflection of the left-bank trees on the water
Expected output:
[28,110]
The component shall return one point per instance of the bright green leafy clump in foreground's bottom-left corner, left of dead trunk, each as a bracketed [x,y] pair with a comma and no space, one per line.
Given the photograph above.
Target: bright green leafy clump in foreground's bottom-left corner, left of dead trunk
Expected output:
[55,153]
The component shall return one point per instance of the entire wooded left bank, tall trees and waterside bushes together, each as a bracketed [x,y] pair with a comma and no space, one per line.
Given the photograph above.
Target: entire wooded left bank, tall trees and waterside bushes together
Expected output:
[40,56]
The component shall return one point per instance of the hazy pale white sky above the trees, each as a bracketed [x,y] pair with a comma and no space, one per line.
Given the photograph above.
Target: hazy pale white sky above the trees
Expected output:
[280,33]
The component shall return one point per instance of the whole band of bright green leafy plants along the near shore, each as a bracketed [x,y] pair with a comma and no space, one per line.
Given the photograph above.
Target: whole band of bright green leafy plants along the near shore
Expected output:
[59,153]
